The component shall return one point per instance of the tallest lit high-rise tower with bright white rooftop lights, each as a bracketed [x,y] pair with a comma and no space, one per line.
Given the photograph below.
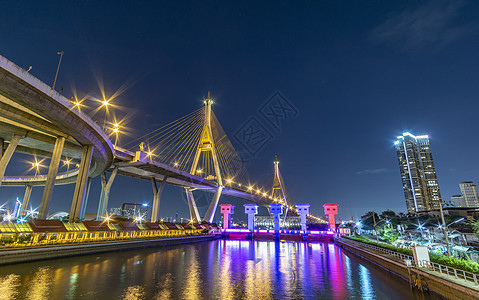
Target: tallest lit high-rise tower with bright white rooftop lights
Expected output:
[418,173]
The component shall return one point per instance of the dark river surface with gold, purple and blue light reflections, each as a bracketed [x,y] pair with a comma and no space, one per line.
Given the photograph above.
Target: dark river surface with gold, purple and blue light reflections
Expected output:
[221,269]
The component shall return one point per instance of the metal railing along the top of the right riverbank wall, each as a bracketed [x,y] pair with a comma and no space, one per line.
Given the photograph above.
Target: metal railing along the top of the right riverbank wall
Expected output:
[442,269]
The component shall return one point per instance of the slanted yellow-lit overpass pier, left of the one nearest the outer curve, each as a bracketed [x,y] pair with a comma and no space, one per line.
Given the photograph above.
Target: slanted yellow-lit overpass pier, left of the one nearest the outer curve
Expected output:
[52,174]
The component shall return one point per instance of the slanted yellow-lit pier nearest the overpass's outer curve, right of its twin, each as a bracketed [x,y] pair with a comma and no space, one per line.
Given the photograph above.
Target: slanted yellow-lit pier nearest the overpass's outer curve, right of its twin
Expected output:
[81,185]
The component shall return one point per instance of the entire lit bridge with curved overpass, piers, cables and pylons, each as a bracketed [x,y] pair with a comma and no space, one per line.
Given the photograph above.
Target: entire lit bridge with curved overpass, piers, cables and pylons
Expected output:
[192,152]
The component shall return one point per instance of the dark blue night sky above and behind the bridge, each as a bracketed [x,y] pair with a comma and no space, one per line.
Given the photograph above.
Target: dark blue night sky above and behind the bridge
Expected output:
[359,74]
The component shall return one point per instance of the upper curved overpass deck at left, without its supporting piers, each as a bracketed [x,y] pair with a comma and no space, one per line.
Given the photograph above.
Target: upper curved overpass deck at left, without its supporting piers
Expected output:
[31,109]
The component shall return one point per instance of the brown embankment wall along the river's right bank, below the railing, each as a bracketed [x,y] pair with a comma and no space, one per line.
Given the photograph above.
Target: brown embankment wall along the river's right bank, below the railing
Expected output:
[442,285]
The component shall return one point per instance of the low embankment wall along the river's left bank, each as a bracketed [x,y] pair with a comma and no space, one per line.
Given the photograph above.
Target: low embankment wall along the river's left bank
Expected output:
[12,256]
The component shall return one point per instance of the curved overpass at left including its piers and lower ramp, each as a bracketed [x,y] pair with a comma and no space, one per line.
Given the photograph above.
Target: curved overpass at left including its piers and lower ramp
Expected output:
[35,119]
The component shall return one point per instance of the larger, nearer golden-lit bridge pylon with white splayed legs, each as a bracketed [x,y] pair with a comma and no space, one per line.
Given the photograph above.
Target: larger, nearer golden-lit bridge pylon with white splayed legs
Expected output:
[206,145]
